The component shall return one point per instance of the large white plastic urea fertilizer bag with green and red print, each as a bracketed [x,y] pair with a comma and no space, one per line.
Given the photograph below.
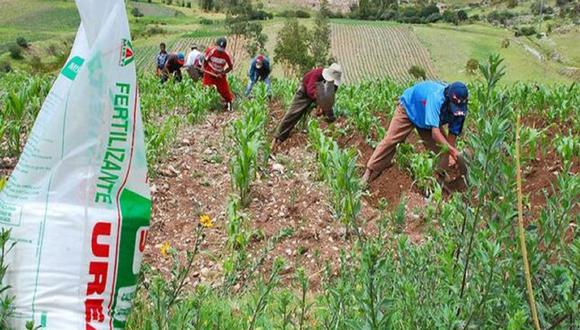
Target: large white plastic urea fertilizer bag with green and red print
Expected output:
[78,201]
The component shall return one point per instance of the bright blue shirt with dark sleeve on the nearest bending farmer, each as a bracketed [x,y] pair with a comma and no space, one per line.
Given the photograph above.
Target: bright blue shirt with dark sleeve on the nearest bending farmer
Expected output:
[426,107]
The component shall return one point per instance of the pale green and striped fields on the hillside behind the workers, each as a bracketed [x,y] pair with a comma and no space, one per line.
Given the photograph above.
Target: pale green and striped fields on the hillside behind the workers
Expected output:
[366,49]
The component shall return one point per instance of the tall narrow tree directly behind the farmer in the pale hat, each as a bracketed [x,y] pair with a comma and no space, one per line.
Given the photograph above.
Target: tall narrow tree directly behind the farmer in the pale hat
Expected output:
[320,42]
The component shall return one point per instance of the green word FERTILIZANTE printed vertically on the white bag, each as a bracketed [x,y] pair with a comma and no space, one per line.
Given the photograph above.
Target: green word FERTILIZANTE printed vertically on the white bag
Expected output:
[111,169]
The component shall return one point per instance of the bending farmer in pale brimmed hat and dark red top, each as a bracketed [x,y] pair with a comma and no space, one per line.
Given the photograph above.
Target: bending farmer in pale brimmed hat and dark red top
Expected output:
[306,96]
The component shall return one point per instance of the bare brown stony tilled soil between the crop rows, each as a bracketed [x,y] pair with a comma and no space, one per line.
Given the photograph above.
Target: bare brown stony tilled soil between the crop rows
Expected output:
[194,180]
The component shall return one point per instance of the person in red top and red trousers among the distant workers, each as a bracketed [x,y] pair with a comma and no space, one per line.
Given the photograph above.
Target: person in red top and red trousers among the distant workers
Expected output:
[216,66]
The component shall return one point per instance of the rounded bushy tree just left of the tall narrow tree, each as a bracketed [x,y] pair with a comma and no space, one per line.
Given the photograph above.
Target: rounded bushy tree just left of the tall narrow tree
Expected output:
[292,47]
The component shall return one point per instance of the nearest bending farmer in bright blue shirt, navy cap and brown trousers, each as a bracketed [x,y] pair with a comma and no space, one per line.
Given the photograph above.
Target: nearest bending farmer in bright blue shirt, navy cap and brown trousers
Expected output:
[427,107]
